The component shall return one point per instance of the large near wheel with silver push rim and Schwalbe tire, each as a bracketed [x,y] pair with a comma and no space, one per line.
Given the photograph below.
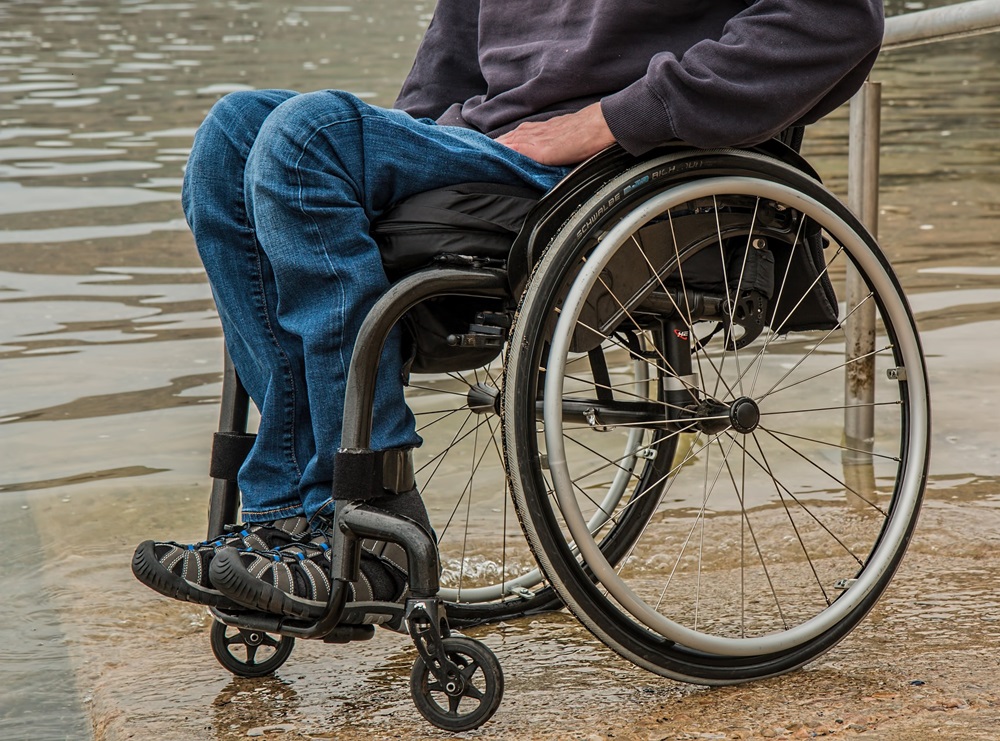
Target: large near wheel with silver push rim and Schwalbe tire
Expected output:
[778,527]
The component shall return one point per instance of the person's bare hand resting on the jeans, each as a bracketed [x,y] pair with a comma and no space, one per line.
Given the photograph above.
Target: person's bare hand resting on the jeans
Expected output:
[563,140]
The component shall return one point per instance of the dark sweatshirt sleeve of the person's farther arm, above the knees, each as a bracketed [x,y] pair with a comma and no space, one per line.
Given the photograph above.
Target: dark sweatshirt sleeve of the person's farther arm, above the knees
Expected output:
[446,68]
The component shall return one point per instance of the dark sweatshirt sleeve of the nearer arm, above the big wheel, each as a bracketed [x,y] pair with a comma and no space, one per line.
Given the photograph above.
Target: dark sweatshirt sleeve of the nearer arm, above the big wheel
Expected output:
[777,63]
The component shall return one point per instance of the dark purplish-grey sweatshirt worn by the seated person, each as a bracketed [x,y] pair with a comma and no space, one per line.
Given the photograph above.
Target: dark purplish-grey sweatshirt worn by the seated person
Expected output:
[712,73]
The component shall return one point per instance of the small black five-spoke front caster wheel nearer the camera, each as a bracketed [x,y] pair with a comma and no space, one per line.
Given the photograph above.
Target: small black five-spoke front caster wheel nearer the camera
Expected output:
[470,692]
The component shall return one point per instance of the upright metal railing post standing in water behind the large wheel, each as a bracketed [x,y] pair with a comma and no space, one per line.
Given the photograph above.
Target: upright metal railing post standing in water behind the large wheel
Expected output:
[862,193]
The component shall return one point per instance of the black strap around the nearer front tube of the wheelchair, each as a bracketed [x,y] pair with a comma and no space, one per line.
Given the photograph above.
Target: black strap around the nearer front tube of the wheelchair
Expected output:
[361,475]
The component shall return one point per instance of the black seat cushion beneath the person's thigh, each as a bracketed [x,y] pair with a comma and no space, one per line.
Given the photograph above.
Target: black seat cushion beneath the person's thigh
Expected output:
[470,219]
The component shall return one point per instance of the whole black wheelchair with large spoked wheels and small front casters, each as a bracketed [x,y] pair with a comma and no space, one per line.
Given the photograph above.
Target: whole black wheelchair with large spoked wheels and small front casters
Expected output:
[651,379]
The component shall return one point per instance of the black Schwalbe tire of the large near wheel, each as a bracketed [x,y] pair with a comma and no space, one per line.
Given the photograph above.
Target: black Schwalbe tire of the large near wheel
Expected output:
[582,595]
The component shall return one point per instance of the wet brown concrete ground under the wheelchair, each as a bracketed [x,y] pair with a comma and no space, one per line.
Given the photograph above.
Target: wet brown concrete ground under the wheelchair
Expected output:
[923,664]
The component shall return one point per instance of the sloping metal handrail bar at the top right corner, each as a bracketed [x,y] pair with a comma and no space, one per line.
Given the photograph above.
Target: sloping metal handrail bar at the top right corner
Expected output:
[940,24]
